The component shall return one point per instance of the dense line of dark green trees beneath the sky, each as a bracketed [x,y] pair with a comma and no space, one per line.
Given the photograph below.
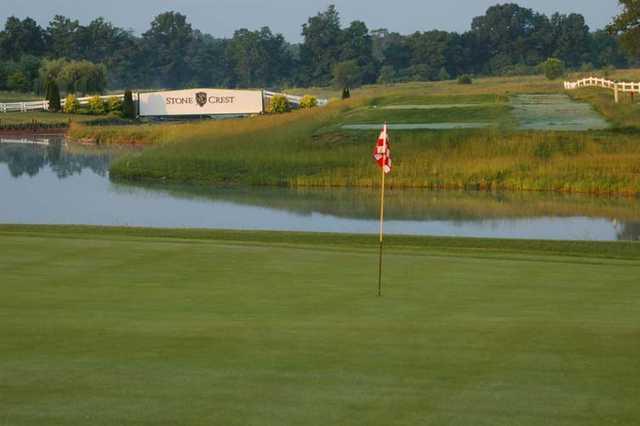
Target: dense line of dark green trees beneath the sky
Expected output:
[507,40]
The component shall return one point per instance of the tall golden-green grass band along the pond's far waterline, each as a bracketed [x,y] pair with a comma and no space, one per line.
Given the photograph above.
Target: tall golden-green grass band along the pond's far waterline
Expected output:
[603,162]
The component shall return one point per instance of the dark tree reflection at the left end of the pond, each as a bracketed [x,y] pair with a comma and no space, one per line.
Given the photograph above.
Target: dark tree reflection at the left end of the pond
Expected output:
[26,159]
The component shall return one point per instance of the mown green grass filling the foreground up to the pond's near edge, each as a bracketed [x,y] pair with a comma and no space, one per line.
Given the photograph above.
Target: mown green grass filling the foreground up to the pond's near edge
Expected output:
[114,326]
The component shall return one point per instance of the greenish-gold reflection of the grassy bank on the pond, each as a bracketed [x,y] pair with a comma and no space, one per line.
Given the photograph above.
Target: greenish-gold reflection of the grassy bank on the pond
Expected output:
[410,204]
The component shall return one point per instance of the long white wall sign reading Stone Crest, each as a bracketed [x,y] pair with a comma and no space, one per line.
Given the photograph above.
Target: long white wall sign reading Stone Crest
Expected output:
[201,102]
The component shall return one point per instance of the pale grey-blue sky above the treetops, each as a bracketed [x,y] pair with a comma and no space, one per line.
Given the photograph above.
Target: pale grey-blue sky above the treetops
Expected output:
[221,17]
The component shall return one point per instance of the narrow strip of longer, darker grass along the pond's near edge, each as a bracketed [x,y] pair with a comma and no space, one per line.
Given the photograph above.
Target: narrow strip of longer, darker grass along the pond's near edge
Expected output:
[628,250]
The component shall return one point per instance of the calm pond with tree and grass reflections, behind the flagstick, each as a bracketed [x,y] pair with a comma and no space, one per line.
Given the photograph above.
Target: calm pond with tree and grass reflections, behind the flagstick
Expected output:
[54,184]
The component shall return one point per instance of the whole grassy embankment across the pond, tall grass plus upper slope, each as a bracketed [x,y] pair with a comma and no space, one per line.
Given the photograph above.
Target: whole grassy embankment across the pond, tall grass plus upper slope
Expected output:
[309,148]
